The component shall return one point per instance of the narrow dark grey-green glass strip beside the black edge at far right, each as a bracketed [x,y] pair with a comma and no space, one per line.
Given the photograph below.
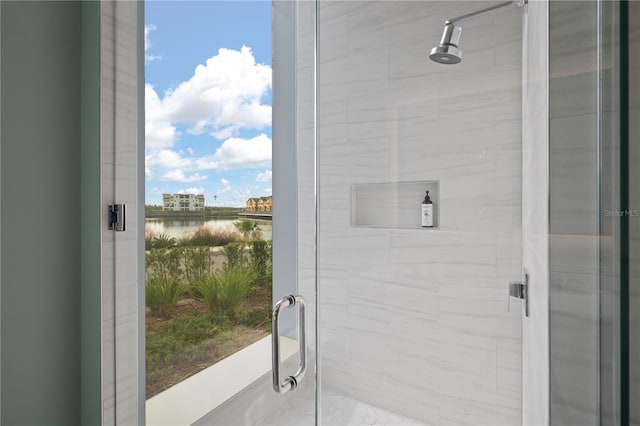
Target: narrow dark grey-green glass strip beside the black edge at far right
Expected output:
[609,27]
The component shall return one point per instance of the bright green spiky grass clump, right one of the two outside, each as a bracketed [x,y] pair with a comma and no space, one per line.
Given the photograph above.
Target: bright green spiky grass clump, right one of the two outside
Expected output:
[224,290]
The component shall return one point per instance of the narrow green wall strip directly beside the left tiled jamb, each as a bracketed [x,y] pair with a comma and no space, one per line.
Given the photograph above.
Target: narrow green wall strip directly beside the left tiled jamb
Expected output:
[91,215]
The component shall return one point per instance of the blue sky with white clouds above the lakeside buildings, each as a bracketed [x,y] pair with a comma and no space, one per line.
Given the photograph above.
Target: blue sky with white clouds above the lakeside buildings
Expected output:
[208,100]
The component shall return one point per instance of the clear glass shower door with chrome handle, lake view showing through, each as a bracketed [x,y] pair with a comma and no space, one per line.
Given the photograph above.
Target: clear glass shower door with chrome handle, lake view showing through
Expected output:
[209,286]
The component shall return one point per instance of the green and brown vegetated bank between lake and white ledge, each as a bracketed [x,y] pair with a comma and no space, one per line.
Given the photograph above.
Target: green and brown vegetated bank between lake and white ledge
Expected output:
[199,312]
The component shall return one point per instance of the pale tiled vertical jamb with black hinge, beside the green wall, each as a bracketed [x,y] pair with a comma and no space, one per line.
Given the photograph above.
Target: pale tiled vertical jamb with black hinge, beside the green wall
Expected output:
[122,182]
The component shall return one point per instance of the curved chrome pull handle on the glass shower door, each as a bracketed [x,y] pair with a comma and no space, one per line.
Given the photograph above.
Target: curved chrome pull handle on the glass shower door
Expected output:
[291,382]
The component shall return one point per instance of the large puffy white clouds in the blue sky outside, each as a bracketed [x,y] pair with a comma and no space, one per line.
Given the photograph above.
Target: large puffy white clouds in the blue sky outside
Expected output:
[224,95]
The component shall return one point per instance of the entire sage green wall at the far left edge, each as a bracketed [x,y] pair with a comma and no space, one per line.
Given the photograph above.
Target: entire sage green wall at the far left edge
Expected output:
[49,214]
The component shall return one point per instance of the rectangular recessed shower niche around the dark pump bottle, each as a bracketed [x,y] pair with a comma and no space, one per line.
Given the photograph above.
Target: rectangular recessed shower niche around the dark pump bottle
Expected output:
[393,204]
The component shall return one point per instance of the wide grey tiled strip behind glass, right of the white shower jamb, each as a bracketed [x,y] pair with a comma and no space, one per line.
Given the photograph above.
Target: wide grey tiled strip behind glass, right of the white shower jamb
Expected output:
[574,213]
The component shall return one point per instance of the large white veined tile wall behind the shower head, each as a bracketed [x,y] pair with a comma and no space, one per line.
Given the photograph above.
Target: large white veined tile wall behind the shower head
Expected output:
[416,321]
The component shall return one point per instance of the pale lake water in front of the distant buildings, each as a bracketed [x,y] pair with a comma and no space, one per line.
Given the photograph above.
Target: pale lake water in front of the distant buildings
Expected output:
[179,228]
